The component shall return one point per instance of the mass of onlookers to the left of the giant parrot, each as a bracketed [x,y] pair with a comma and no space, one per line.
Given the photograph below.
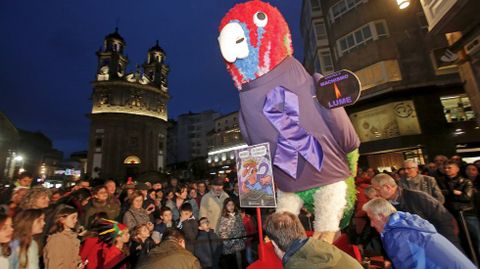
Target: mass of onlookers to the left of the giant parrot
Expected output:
[98,224]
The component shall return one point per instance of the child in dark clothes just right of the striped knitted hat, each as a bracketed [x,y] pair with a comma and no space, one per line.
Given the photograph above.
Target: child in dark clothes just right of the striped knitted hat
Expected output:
[141,244]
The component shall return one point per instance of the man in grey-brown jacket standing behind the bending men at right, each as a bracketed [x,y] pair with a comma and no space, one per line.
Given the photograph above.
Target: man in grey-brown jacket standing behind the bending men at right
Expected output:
[413,180]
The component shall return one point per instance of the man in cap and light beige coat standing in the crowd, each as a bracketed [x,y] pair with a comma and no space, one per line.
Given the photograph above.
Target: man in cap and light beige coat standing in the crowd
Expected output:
[212,203]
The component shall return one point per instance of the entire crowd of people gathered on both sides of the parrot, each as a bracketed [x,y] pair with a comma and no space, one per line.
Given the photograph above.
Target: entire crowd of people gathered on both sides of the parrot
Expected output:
[100,224]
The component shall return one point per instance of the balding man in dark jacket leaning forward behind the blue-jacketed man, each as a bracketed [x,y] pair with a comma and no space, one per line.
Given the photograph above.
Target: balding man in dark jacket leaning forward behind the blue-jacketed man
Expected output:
[420,203]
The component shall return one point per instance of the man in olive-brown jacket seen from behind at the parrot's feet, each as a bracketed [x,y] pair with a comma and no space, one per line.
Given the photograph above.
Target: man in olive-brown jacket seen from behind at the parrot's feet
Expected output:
[296,250]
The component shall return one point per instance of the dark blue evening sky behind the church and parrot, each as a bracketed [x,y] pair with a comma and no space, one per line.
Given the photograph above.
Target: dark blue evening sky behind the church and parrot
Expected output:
[47,54]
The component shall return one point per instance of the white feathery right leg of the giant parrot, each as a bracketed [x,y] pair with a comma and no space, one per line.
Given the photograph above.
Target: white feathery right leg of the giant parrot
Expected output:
[329,203]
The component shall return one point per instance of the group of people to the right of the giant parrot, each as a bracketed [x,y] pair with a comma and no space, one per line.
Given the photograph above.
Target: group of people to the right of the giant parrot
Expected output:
[440,198]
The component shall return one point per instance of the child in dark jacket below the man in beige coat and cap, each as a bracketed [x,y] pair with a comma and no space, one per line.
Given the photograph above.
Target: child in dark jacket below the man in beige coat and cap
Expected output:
[208,247]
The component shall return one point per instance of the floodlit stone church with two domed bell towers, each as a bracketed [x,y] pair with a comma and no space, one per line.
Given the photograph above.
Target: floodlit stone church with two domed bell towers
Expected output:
[129,114]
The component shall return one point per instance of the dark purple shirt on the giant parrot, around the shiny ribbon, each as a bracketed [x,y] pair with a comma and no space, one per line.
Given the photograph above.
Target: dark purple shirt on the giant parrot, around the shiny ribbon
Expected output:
[331,128]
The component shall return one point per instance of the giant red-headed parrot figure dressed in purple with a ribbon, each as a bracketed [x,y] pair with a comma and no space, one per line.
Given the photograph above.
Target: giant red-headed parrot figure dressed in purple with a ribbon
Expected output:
[314,149]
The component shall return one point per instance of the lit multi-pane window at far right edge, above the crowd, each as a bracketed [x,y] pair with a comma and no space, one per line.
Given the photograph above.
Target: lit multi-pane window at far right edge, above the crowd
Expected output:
[457,108]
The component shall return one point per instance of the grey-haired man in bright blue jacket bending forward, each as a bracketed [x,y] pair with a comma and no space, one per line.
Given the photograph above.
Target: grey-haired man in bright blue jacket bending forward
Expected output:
[412,242]
